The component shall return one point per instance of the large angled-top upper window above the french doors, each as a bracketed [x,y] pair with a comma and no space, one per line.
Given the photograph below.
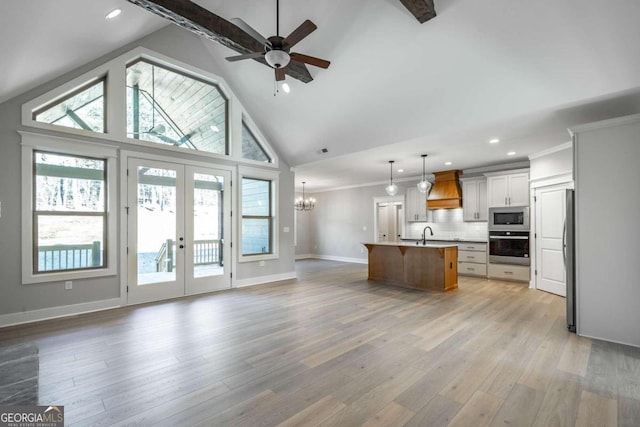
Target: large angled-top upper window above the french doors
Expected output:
[170,108]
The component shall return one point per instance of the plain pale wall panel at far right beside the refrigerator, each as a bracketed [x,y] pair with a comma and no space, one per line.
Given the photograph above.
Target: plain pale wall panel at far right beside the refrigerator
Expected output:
[607,184]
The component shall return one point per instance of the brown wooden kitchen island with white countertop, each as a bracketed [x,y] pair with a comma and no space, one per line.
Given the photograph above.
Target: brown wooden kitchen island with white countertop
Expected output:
[430,266]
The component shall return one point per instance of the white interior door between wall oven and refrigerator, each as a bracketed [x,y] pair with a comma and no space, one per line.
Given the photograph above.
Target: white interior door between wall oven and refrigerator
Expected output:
[550,216]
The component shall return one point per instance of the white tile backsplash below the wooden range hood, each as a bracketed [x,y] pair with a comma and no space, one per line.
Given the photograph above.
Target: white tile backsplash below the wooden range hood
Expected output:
[447,224]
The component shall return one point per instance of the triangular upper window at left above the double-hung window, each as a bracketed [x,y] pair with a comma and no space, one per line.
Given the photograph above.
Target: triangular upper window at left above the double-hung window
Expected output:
[83,108]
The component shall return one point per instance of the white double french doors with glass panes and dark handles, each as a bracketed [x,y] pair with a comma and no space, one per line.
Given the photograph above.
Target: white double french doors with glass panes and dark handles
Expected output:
[178,230]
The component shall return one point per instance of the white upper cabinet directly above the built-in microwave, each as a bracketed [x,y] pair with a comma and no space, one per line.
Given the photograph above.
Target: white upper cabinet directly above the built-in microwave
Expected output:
[508,188]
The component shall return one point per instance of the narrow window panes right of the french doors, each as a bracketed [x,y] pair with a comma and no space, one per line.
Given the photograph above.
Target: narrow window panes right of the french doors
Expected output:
[257,217]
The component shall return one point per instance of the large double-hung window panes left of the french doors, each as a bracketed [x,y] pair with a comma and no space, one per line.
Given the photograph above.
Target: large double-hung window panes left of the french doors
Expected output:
[70,212]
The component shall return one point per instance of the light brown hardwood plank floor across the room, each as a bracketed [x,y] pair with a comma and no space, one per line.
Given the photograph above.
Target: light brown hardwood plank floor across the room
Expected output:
[332,349]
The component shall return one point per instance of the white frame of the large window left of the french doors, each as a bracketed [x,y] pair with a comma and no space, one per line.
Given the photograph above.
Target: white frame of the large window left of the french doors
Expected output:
[59,145]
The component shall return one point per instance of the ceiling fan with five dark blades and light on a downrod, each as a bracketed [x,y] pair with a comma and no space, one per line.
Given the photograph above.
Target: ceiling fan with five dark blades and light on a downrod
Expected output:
[276,49]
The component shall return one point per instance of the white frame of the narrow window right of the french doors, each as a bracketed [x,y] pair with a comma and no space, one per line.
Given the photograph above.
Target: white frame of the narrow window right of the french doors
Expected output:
[274,177]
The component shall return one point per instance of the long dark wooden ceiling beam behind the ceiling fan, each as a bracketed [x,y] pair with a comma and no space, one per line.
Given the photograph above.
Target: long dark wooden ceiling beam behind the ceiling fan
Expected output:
[201,21]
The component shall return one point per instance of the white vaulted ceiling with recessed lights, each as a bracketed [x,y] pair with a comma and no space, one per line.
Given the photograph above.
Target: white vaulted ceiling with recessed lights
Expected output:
[519,71]
